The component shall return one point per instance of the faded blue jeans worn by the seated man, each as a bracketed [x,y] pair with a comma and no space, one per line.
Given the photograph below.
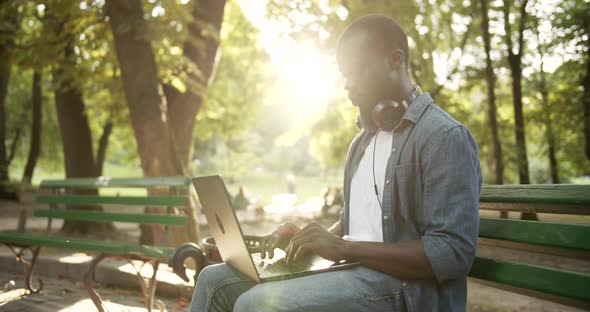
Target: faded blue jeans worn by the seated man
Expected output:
[221,288]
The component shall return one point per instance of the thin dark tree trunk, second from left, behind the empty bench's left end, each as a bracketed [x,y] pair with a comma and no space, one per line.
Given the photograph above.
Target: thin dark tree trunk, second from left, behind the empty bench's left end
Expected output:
[35,148]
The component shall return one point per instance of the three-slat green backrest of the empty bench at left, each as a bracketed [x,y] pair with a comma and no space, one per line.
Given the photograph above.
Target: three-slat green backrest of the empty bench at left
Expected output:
[71,192]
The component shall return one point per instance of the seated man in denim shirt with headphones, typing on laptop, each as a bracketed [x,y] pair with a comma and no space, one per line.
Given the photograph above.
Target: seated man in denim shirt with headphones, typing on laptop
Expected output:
[411,190]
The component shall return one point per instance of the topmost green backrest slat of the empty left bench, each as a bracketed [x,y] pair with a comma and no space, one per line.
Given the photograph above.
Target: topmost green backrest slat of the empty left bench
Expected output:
[116,182]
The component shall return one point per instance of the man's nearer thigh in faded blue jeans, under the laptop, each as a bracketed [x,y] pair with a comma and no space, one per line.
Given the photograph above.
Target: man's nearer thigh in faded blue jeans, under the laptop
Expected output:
[357,289]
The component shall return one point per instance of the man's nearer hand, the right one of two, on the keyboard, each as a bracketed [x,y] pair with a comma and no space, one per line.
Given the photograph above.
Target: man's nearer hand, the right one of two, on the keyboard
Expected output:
[315,238]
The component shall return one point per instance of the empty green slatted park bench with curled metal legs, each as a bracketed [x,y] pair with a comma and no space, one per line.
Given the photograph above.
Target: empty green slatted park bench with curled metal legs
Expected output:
[174,193]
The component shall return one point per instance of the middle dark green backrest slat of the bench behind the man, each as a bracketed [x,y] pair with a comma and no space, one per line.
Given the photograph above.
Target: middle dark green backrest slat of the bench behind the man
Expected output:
[571,236]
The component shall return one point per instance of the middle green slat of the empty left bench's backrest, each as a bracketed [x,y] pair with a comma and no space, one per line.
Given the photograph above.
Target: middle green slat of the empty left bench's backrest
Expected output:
[168,200]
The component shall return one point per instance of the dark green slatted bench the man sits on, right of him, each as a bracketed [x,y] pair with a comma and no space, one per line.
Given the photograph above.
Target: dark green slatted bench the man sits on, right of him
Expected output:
[565,286]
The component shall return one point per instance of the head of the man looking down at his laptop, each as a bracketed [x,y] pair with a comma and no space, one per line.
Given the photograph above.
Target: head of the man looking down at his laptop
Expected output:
[373,57]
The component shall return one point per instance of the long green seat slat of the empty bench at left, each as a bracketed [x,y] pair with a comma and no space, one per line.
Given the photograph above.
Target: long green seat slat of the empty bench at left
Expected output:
[107,247]
